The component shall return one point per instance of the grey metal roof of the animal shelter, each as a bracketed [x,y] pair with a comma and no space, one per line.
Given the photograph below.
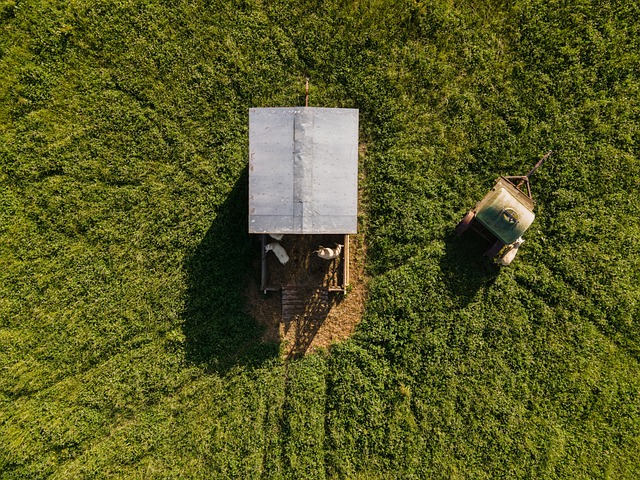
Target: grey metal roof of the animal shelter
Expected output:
[303,170]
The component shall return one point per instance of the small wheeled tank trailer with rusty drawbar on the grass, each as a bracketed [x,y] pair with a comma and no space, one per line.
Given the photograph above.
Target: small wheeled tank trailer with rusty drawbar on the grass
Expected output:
[504,214]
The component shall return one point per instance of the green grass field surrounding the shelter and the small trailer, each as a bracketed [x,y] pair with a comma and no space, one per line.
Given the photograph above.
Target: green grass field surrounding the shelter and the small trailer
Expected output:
[125,346]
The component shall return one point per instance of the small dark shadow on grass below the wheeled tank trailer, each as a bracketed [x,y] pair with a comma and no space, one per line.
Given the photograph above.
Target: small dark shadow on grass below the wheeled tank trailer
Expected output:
[464,267]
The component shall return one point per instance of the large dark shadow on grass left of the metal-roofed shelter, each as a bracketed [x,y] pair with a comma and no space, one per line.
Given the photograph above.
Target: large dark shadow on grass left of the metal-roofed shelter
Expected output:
[220,333]
